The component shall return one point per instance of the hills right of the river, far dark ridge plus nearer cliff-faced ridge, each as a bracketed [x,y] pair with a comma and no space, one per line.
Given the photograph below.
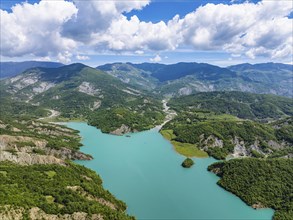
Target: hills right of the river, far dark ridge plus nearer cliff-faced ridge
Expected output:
[233,124]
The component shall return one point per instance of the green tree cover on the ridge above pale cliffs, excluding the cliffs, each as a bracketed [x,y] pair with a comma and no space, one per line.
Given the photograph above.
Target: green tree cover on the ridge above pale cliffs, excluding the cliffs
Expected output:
[202,129]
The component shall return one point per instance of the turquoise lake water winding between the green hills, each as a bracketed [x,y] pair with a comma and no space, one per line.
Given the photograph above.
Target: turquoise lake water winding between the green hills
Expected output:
[145,172]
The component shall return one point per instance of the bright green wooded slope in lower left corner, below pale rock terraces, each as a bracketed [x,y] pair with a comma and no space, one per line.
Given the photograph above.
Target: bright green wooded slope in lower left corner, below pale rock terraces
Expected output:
[57,190]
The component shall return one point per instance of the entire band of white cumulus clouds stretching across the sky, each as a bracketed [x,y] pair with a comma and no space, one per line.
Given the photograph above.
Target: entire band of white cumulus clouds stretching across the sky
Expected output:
[60,28]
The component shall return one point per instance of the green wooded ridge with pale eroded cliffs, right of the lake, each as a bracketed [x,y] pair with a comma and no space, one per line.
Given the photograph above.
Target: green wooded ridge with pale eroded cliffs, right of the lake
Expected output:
[222,135]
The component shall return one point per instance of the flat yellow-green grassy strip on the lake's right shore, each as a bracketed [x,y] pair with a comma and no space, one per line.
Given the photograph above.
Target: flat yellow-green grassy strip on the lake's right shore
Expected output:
[185,149]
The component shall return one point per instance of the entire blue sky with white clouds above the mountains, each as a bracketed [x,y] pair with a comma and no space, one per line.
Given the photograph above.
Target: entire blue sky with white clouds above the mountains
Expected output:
[94,32]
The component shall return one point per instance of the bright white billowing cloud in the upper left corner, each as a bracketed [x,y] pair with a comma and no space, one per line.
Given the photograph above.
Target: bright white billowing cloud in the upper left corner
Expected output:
[34,29]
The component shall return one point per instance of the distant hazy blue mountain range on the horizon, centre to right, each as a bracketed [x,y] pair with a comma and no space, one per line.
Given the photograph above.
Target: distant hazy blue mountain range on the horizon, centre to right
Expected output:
[187,78]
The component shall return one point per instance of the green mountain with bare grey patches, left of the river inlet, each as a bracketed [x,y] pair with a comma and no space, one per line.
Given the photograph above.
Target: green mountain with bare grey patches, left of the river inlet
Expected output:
[81,92]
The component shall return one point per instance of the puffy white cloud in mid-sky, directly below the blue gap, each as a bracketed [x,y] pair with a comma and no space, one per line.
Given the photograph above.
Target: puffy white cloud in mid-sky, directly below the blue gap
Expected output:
[135,35]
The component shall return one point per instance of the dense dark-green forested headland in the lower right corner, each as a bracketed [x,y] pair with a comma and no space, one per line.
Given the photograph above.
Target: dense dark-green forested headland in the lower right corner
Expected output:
[260,183]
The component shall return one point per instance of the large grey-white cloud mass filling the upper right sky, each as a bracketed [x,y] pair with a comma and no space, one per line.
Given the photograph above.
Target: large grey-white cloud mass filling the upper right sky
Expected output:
[260,29]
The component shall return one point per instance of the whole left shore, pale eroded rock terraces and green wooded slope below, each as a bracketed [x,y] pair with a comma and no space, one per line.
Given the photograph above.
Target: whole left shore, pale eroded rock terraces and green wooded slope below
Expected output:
[49,186]
